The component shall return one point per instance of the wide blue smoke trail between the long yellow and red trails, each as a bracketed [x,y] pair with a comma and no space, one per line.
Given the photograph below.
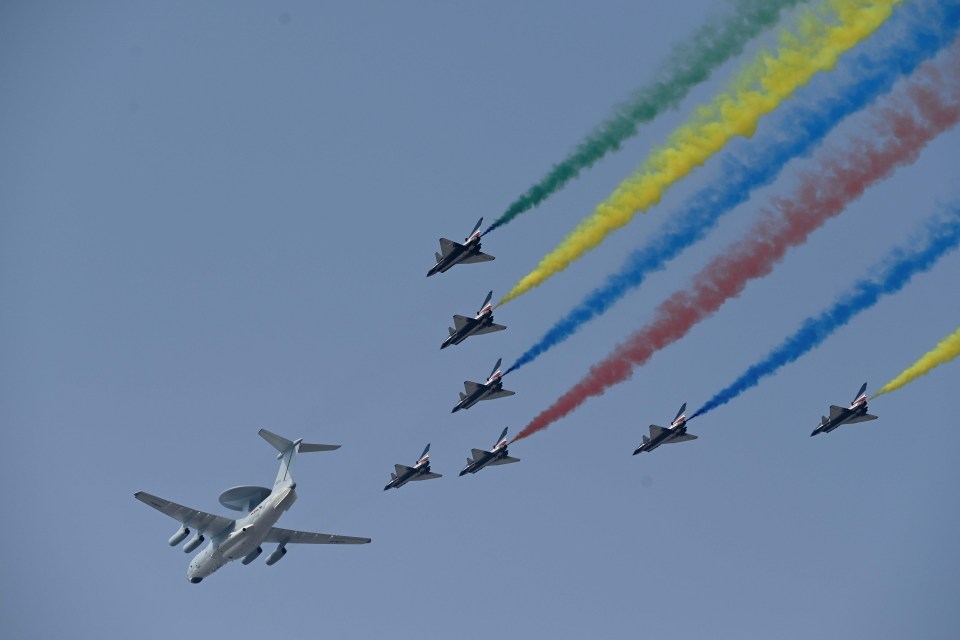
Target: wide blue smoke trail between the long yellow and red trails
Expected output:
[920,31]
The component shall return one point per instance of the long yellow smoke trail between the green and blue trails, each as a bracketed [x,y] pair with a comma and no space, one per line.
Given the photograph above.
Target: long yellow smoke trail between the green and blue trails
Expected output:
[822,36]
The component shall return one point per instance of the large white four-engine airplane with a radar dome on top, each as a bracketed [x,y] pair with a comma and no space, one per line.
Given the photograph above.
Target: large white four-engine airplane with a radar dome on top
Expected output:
[242,539]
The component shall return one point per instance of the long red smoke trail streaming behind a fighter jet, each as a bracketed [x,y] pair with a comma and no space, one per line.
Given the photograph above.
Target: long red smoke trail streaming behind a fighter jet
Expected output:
[902,127]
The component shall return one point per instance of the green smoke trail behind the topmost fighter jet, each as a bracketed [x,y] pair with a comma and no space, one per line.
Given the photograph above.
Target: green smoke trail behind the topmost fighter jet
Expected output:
[689,64]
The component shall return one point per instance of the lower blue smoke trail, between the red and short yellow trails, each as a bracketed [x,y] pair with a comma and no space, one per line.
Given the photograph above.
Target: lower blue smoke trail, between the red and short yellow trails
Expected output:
[942,236]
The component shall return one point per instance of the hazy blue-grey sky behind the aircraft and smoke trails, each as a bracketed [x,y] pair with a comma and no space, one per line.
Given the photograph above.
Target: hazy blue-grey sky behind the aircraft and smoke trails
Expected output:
[217,217]
